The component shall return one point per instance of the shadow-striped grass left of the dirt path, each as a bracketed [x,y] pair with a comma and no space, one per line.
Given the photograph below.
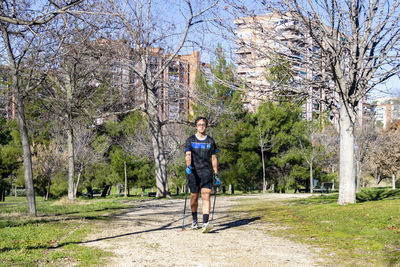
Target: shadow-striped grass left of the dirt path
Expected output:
[53,237]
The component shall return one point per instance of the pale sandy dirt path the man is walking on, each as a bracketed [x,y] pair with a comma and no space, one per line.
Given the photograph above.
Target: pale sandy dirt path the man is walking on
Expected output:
[150,234]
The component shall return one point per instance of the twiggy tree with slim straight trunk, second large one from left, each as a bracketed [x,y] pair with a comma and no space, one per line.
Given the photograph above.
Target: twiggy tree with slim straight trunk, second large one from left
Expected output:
[77,91]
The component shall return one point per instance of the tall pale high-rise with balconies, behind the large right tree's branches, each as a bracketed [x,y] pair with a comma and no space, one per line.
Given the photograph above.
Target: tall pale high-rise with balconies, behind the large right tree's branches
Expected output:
[262,38]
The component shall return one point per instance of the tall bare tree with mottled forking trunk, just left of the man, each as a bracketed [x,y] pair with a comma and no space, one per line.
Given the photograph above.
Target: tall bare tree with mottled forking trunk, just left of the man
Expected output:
[147,29]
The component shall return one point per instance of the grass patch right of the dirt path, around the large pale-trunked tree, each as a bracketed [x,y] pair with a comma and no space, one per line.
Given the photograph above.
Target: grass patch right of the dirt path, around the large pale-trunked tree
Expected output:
[365,234]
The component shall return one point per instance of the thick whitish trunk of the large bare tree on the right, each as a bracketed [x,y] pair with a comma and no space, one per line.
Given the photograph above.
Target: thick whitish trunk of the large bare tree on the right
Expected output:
[347,194]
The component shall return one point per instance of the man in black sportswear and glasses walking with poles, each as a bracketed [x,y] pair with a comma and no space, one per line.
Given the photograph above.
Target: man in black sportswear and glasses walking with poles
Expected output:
[201,161]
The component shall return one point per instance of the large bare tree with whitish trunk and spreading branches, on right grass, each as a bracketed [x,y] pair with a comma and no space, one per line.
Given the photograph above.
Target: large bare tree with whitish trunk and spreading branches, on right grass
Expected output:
[354,46]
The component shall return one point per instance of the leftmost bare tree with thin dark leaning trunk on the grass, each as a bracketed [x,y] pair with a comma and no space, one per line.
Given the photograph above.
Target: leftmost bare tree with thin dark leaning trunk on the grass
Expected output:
[22,30]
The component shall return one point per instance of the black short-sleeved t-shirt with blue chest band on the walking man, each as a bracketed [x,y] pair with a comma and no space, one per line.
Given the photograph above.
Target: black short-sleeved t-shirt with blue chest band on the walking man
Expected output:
[201,153]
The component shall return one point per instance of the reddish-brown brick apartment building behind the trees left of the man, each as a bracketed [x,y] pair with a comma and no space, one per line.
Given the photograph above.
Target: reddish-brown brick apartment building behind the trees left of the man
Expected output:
[173,89]
